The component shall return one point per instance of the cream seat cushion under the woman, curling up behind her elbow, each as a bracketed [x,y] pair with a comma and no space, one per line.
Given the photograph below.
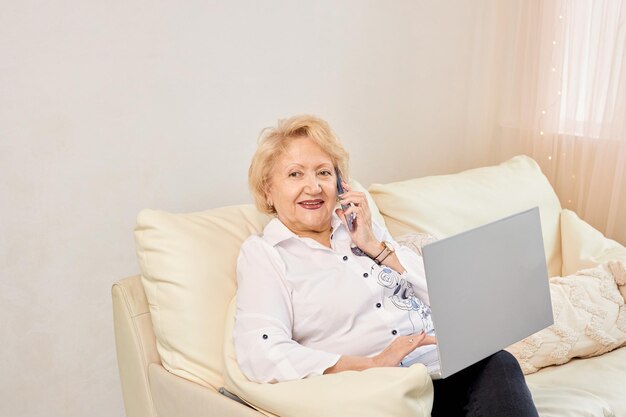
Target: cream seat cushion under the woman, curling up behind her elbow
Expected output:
[386,391]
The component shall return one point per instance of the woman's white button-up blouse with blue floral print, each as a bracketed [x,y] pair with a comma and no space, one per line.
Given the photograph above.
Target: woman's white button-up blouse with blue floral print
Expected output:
[300,305]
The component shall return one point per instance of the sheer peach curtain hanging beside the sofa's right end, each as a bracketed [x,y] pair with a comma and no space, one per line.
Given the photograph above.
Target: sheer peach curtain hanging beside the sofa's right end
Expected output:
[563,102]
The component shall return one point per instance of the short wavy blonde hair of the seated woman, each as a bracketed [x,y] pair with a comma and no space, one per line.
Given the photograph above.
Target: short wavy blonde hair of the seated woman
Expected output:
[273,142]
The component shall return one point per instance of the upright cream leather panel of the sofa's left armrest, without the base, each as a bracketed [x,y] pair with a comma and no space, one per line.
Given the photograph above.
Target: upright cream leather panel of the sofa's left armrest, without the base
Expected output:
[135,344]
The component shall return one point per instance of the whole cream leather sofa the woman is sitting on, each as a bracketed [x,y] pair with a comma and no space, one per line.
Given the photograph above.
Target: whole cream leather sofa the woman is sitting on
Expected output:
[172,323]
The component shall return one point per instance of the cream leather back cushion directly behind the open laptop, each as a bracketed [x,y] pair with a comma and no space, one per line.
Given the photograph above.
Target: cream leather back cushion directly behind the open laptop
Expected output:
[445,205]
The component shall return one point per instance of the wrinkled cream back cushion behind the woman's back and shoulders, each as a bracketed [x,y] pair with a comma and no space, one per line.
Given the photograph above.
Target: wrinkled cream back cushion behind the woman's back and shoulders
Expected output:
[187,264]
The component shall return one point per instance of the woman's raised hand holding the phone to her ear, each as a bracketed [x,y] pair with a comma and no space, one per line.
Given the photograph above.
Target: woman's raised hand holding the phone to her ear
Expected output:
[362,235]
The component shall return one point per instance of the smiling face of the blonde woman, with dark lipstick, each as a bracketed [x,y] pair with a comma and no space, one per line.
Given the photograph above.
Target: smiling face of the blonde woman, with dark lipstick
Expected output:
[303,188]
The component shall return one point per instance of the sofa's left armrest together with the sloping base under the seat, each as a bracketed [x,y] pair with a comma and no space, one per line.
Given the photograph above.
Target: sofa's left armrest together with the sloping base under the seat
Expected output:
[149,390]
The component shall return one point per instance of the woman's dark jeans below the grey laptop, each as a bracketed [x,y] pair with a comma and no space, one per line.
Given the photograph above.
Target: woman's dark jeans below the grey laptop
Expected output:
[493,387]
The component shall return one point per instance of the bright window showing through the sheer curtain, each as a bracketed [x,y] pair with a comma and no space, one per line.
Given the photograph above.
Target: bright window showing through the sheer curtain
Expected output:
[594,37]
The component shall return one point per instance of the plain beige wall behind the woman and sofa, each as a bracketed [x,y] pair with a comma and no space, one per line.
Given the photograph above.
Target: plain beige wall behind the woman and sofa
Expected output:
[113,106]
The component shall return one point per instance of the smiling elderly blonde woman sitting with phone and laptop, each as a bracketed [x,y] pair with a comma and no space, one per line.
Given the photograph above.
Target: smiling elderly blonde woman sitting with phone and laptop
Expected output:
[326,290]
